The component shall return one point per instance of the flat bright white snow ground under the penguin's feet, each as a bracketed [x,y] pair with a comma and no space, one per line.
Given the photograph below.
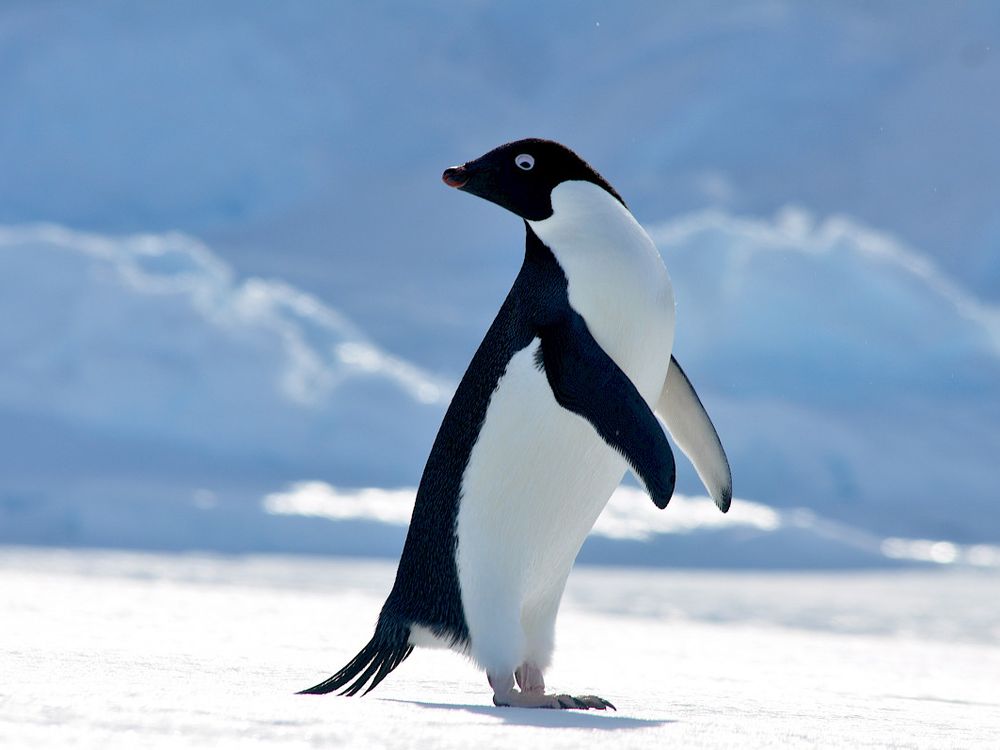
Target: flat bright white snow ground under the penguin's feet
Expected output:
[111,649]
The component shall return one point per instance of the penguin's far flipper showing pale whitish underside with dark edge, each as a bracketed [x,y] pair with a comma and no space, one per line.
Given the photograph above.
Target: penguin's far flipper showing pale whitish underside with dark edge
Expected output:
[693,431]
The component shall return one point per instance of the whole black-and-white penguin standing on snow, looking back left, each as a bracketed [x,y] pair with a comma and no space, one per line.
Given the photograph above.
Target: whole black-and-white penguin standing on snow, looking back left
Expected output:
[559,401]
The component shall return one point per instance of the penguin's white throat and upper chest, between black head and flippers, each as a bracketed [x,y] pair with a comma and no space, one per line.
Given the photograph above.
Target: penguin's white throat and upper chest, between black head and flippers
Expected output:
[615,277]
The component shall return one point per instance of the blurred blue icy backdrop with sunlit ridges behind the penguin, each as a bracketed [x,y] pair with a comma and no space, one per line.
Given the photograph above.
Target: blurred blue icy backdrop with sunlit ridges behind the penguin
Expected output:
[235,292]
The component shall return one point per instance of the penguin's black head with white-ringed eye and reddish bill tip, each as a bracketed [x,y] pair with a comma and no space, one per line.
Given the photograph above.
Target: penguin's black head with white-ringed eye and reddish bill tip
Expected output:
[520,176]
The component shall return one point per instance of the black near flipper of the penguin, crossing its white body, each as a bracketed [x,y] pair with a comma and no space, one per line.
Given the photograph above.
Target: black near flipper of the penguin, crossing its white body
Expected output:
[587,382]
